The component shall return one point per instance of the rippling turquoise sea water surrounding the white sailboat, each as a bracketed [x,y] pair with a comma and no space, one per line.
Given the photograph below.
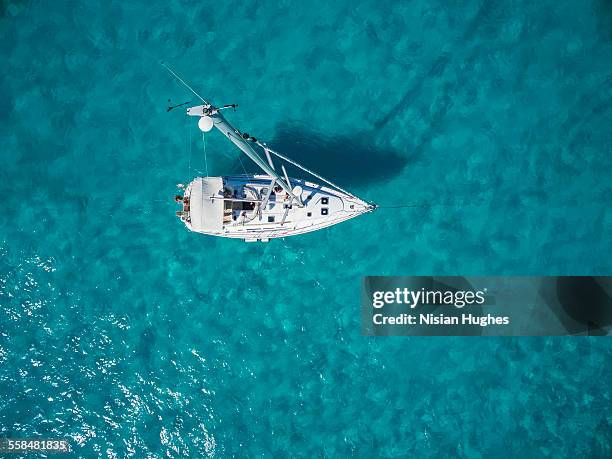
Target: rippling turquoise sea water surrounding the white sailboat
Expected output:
[131,337]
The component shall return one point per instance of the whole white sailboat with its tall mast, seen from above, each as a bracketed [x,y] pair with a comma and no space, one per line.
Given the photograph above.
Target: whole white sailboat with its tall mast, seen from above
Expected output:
[264,206]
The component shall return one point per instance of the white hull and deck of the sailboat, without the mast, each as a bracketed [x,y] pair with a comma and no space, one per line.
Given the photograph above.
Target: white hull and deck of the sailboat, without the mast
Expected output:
[244,207]
